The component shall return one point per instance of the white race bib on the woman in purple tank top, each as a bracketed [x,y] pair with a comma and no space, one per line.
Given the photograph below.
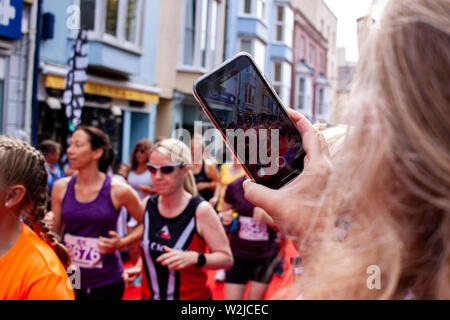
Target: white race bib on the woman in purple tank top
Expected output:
[84,251]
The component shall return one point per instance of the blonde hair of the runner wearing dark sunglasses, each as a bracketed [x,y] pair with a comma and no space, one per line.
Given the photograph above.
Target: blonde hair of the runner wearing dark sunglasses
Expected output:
[180,154]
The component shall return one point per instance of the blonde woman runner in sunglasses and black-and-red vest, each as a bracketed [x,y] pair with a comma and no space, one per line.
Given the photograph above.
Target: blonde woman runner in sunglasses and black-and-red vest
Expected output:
[178,228]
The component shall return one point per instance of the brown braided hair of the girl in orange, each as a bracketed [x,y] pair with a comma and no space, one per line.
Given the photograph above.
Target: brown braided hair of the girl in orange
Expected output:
[21,164]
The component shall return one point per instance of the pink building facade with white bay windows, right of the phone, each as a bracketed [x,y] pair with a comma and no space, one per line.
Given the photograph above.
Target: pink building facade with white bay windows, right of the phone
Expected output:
[310,86]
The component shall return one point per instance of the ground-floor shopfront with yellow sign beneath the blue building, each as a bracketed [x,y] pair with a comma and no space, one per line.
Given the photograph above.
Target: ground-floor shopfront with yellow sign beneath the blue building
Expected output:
[125,111]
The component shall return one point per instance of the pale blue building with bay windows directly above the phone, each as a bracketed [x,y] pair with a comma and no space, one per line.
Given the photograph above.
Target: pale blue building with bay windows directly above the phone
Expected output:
[264,28]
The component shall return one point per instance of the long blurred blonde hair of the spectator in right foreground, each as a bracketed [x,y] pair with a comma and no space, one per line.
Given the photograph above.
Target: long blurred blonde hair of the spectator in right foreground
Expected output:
[391,180]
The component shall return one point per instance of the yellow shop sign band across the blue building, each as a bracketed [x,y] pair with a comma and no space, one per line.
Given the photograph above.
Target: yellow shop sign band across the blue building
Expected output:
[58,82]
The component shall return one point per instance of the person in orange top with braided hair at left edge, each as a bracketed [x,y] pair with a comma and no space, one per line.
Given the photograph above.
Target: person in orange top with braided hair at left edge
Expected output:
[29,268]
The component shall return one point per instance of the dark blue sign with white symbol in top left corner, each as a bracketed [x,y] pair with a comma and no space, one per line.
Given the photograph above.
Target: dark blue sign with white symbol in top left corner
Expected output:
[11,18]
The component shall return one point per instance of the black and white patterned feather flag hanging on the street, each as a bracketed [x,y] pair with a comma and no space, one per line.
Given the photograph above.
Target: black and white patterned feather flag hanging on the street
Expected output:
[76,78]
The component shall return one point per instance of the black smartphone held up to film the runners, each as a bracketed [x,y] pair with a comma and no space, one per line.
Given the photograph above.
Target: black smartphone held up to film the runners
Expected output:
[250,117]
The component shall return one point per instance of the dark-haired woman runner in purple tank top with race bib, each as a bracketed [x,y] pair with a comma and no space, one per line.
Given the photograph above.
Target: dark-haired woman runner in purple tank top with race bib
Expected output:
[86,207]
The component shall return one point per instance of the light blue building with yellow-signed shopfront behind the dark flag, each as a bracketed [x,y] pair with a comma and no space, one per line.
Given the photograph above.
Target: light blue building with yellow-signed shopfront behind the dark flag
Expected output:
[121,97]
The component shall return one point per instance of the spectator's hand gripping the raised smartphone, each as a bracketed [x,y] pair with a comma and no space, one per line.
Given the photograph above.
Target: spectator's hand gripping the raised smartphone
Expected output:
[290,207]
